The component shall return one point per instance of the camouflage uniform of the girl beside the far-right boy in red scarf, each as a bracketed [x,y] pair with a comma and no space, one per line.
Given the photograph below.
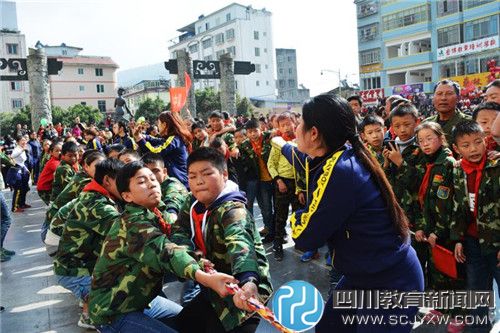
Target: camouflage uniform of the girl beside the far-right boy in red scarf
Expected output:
[437,212]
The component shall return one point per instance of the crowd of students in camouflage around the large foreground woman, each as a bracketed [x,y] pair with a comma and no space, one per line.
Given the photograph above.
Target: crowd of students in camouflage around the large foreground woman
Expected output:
[128,212]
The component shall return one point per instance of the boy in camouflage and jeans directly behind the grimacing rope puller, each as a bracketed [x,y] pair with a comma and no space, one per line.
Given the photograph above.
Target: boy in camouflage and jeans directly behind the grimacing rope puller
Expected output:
[85,228]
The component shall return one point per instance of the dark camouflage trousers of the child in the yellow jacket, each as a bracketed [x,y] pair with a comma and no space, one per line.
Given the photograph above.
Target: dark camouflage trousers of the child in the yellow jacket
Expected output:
[281,204]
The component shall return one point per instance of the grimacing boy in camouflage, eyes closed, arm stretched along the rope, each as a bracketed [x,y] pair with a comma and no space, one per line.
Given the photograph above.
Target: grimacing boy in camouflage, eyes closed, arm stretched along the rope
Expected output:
[135,256]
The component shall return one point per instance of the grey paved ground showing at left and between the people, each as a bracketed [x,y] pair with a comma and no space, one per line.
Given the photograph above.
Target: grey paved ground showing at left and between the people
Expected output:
[35,303]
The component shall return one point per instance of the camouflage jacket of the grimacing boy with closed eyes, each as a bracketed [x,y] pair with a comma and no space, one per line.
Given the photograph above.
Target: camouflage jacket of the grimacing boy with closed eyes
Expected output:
[129,272]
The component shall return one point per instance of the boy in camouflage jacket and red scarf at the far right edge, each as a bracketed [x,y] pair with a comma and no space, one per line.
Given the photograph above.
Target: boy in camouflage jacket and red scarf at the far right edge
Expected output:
[476,219]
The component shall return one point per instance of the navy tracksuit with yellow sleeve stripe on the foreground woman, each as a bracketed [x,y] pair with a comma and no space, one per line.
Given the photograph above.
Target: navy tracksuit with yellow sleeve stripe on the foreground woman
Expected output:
[346,210]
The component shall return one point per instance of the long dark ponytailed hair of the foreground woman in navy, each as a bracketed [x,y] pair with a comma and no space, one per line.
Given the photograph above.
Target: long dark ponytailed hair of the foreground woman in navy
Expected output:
[335,121]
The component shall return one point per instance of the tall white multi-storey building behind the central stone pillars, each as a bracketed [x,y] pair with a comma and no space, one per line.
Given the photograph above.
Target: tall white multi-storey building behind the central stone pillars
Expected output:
[244,32]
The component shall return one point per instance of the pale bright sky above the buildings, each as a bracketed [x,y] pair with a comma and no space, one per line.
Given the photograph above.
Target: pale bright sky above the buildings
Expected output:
[136,32]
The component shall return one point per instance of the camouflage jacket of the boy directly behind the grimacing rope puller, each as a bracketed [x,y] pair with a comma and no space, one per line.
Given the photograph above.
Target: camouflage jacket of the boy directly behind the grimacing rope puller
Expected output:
[84,231]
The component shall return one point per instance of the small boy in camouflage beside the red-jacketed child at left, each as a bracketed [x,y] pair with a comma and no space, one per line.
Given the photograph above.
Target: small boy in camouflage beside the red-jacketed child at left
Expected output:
[66,170]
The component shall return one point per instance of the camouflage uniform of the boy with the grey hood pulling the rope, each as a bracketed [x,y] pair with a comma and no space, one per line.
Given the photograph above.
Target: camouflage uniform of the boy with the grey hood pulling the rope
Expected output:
[234,246]
